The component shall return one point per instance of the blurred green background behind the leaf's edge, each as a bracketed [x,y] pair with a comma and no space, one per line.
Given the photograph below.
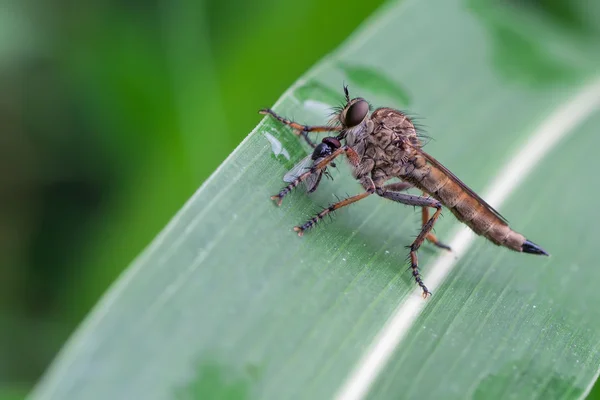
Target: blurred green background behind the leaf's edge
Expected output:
[112,114]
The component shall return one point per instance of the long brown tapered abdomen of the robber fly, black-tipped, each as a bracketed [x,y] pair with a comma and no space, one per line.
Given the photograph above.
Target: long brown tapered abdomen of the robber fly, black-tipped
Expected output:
[466,207]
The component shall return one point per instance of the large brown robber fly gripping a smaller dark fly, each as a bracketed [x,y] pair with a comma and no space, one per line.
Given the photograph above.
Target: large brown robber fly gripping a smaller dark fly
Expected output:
[385,145]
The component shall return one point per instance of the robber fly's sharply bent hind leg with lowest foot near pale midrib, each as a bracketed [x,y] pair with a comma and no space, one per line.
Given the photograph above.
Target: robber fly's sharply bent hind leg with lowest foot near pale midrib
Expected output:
[418,201]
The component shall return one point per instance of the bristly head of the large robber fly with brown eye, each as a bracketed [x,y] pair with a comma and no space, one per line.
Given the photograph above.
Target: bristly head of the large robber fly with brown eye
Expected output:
[354,119]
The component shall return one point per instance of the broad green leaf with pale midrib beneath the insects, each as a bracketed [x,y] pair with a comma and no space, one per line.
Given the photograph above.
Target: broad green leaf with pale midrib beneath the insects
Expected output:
[228,302]
